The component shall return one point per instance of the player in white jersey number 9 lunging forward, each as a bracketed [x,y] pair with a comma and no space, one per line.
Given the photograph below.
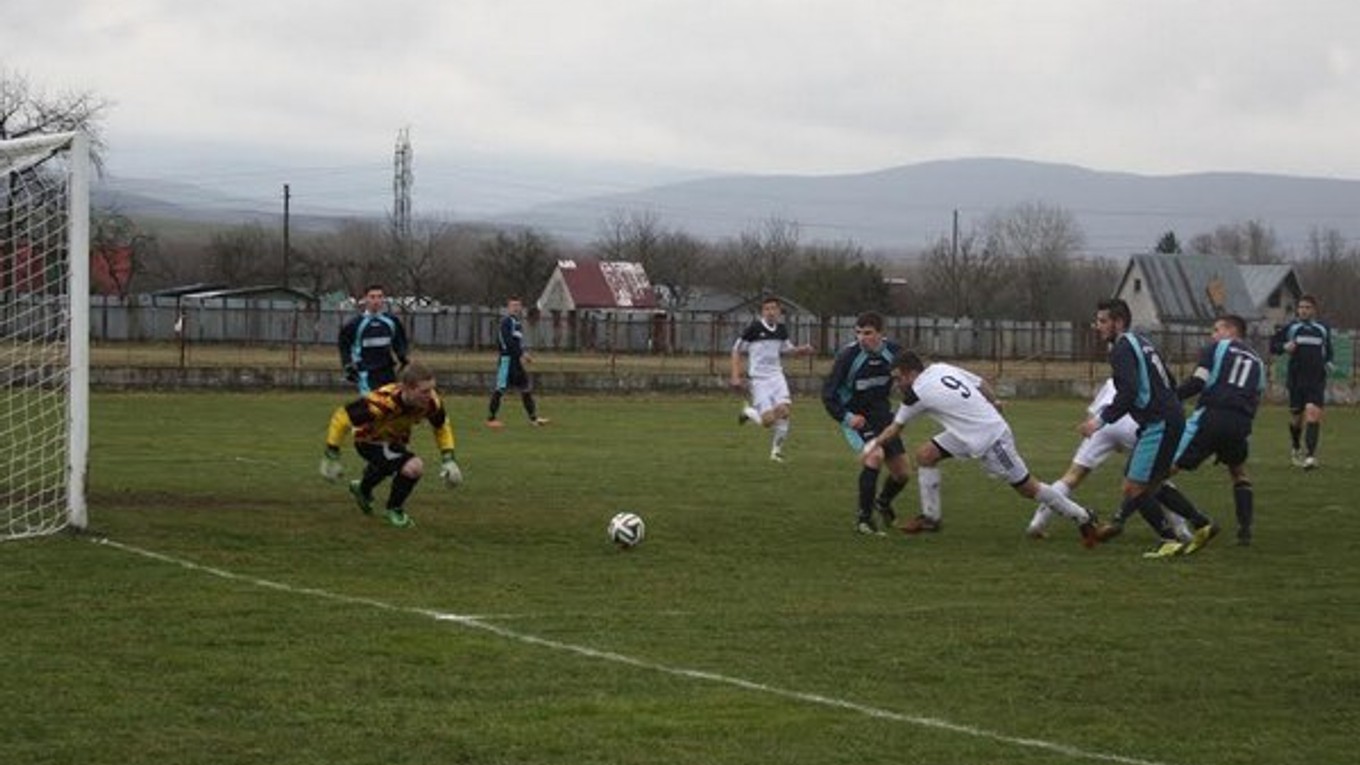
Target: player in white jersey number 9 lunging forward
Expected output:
[964,405]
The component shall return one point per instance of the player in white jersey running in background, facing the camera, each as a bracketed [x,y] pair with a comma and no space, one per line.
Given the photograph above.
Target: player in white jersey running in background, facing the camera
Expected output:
[765,342]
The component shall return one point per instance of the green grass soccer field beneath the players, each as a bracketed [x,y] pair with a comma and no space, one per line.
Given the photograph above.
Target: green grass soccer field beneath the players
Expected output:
[231,608]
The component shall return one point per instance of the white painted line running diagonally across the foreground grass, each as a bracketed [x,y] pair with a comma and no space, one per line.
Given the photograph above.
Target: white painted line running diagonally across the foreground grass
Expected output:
[475,623]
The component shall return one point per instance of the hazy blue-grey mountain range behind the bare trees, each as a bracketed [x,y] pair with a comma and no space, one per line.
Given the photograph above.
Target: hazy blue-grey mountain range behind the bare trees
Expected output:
[897,210]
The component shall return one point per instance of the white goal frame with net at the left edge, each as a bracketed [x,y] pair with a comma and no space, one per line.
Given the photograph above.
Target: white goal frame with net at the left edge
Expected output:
[44,334]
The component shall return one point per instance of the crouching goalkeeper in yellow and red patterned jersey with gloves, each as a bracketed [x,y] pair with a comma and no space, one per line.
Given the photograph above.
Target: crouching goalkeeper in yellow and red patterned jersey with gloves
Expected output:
[381,423]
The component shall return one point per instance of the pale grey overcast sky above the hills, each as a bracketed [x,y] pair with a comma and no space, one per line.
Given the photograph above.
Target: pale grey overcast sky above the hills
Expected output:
[723,86]
